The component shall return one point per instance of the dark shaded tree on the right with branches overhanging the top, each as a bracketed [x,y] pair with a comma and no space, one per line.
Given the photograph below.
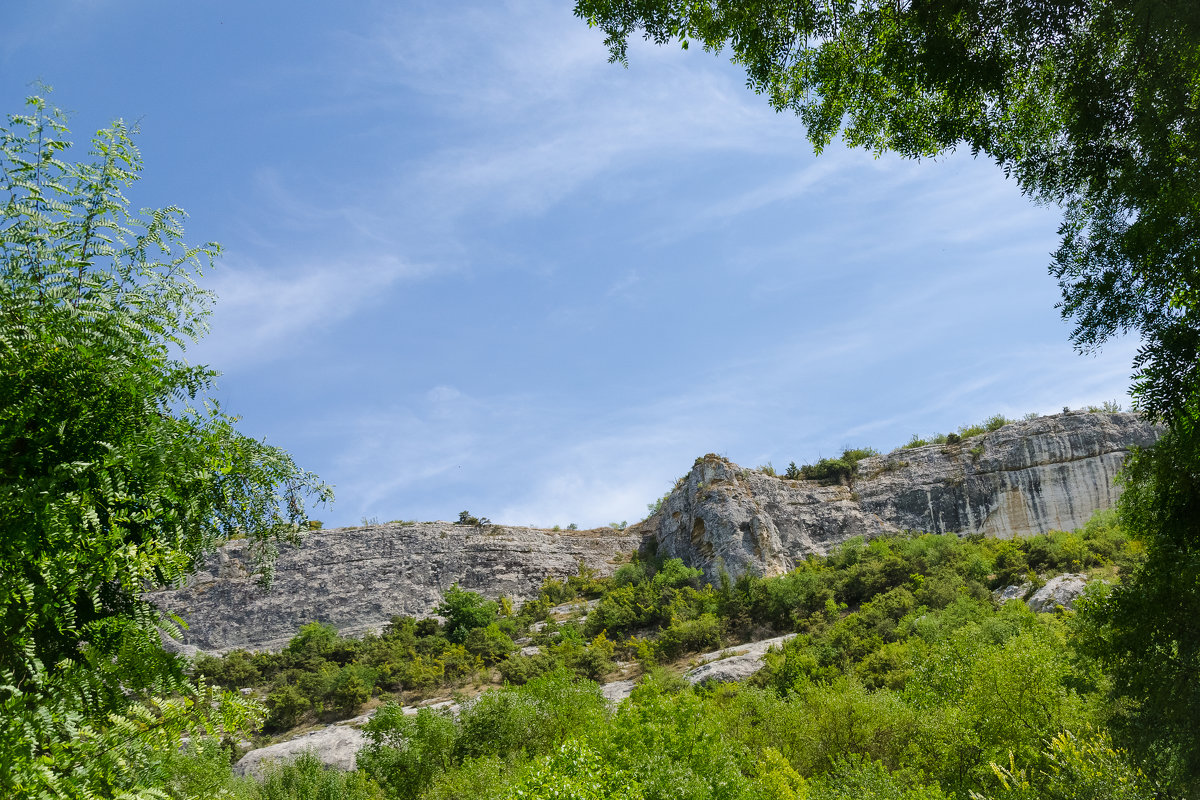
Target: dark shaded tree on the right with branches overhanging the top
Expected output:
[1093,106]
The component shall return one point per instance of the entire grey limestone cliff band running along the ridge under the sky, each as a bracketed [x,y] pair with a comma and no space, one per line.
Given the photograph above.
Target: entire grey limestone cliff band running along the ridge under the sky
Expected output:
[1024,479]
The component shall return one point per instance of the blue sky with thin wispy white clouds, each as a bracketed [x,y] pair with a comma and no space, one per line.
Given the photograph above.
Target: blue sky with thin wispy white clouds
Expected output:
[469,264]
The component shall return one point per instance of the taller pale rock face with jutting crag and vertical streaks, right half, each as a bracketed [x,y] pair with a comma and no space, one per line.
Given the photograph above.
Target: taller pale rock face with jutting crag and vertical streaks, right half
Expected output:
[1024,479]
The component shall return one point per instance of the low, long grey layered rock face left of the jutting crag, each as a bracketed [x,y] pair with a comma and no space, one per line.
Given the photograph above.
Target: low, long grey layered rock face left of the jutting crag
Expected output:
[357,579]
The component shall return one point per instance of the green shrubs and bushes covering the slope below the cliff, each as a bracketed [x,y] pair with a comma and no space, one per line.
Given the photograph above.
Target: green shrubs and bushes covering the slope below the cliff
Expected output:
[907,679]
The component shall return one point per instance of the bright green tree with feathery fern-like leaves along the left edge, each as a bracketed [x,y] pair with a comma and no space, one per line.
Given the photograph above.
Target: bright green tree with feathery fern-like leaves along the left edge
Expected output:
[117,468]
